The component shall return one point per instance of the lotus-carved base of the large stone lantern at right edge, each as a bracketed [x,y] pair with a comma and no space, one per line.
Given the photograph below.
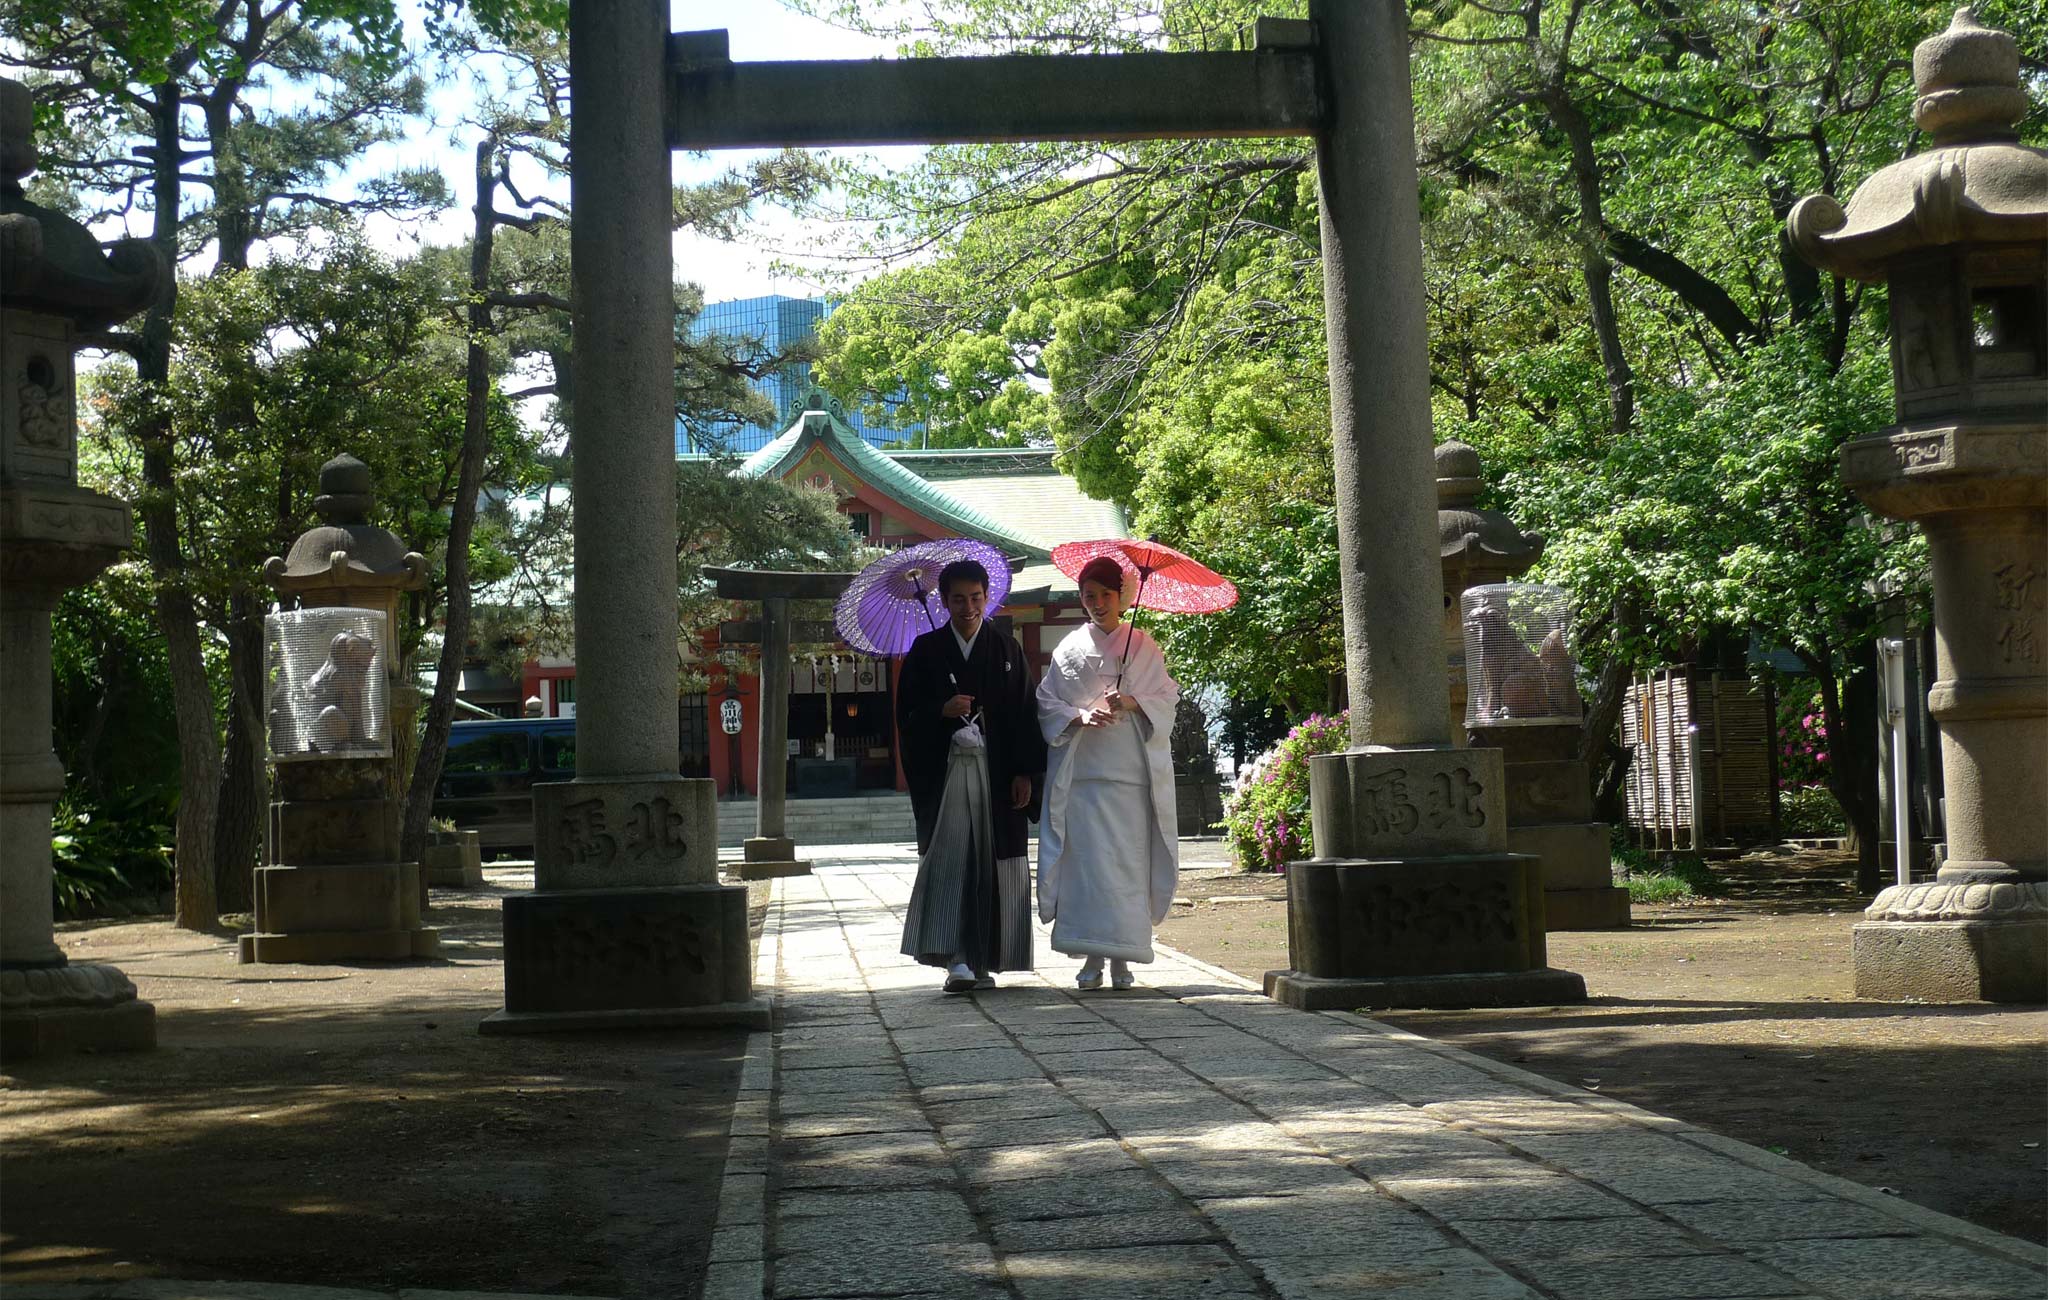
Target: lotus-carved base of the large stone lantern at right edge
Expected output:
[1955,941]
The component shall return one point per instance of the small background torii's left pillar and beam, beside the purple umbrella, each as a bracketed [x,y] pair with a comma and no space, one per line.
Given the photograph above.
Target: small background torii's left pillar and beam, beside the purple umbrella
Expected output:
[771,853]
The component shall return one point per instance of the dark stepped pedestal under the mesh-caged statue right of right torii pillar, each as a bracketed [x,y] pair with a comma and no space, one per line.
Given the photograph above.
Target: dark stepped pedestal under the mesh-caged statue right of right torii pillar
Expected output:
[1551,818]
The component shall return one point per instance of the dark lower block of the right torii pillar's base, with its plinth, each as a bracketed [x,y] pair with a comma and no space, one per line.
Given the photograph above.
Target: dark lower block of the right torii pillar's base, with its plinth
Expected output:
[1463,930]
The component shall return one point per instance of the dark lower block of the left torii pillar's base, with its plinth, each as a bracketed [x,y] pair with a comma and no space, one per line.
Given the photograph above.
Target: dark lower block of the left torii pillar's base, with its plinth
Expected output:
[654,957]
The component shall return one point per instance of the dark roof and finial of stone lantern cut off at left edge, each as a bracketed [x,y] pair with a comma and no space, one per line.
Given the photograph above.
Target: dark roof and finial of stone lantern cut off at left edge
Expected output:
[50,263]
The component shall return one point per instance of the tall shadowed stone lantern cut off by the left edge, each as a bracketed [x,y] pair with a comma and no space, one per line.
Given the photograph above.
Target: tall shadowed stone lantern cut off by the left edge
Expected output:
[54,535]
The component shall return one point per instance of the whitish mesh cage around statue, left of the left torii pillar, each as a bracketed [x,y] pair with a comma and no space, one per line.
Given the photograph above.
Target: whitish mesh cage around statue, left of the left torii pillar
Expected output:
[327,681]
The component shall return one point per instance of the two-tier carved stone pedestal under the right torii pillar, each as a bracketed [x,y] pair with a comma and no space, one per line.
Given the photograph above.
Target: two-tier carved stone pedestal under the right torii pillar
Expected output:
[1414,900]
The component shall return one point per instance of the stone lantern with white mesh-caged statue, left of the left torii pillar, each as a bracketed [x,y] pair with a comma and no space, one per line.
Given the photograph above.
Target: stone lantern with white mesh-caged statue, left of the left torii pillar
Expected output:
[335,887]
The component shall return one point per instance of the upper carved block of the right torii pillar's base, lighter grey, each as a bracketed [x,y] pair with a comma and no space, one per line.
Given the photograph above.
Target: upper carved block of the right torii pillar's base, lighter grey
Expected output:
[1408,804]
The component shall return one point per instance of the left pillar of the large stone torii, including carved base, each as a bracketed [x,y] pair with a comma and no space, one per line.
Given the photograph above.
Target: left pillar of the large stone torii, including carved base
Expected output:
[628,924]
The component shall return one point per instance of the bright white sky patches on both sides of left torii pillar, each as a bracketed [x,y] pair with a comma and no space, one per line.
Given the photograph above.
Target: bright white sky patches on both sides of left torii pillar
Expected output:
[759,30]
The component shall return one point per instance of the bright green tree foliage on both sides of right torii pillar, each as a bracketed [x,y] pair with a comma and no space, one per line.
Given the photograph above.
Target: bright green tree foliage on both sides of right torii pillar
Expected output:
[1656,384]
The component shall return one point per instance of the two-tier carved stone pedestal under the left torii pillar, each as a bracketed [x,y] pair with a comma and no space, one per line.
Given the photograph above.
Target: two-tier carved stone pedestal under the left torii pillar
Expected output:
[628,924]
